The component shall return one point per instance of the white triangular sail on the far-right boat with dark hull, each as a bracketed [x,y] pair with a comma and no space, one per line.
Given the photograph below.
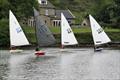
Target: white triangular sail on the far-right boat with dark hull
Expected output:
[99,36]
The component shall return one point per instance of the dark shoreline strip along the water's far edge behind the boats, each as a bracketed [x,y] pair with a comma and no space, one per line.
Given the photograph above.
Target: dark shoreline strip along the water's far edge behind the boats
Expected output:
[83,45]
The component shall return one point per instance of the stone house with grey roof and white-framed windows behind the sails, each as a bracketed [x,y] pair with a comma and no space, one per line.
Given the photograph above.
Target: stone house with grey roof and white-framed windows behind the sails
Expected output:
[51,15]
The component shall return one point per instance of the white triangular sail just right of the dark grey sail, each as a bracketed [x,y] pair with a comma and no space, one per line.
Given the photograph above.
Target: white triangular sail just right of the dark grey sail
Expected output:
[67,36]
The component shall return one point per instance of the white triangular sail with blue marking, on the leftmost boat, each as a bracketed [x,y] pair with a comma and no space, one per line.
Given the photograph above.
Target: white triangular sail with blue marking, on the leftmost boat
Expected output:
[17,36]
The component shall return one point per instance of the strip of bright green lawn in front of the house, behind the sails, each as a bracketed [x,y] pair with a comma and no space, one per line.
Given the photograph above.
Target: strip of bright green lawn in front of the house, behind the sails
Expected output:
[56,30]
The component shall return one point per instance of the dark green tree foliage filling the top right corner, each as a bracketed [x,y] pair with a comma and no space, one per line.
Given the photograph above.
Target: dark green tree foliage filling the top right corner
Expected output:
[110,14]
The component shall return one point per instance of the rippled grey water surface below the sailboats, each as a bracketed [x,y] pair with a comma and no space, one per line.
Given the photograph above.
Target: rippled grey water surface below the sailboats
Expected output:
[67,64]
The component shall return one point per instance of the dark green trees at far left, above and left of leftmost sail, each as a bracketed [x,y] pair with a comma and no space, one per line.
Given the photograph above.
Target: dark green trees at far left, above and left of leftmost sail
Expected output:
[22,9]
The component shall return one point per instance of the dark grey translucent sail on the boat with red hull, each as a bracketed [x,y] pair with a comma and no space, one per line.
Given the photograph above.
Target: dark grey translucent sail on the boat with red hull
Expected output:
[44,36]
